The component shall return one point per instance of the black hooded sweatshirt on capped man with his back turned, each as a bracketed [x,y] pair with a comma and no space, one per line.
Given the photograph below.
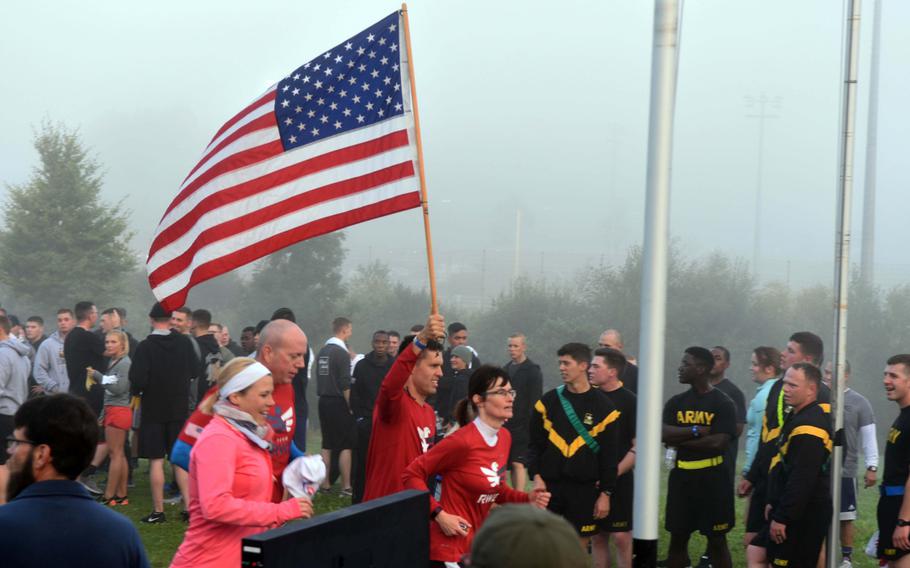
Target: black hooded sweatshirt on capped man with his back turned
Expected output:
[161,373]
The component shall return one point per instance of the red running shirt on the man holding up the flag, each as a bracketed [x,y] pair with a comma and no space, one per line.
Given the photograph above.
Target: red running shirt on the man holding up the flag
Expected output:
[402,430]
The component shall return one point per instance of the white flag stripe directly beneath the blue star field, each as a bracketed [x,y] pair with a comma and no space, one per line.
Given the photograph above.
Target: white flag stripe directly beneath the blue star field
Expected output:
[257,170]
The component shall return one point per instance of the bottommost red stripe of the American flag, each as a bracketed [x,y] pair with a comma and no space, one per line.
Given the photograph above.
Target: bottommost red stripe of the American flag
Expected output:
[226,263]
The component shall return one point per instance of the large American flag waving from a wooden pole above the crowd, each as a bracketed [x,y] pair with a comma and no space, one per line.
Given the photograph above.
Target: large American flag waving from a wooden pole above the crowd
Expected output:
[331,145]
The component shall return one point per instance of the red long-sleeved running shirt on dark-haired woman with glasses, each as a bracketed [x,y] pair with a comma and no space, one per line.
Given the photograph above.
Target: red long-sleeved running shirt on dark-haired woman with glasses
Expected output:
[473,478]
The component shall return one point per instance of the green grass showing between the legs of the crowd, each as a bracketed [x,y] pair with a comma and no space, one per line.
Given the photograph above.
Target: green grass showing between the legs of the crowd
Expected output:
[161,541]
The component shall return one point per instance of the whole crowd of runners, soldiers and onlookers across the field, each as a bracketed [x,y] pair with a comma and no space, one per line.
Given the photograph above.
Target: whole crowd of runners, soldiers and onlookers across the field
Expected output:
[421,411]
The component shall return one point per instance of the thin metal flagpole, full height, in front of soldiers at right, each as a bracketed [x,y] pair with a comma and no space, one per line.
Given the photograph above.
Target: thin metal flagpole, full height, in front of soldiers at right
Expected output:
[842,264]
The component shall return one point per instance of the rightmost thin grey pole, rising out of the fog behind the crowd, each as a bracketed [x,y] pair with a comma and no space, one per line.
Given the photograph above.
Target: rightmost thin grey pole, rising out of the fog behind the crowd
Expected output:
[867,258]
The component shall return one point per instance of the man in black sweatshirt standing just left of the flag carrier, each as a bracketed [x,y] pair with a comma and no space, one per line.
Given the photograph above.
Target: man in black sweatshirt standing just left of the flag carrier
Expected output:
[365,382]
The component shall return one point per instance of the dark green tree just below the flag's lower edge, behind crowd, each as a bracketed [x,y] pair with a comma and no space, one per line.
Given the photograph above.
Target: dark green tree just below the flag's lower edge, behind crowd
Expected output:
[305,277]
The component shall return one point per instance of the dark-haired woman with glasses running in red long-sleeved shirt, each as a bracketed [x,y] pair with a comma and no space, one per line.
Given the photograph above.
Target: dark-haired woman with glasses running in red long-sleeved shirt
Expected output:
[472,462]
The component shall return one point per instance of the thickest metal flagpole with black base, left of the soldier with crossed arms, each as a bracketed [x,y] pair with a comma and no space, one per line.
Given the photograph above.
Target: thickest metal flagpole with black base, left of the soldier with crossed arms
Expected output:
[654,283]
